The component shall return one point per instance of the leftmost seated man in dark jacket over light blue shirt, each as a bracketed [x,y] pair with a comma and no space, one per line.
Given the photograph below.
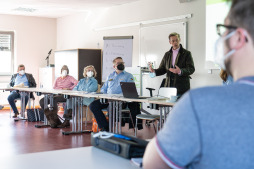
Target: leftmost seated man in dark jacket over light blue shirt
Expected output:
[20,79]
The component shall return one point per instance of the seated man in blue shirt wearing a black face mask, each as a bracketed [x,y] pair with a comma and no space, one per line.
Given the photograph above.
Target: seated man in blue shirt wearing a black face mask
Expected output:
[112,86]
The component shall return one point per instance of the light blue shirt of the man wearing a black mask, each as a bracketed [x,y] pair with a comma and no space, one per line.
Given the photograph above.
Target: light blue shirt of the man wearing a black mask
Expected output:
[112,84]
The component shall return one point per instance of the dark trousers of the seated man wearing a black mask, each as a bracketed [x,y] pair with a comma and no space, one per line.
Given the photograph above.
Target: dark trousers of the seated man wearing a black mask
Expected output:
[96,108]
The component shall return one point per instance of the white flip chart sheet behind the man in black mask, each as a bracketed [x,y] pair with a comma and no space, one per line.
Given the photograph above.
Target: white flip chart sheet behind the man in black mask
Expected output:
[116,48]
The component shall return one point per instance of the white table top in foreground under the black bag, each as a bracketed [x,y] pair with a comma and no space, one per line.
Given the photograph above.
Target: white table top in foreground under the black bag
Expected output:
[76,158]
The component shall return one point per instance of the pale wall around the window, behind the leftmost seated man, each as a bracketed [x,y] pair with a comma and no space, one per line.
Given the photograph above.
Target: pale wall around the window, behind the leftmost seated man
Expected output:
[34,37]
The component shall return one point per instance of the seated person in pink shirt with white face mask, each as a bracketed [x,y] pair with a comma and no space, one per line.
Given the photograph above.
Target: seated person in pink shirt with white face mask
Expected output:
[65,82]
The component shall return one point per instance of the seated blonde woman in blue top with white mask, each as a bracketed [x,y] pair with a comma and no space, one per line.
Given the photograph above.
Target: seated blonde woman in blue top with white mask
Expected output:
[87,84]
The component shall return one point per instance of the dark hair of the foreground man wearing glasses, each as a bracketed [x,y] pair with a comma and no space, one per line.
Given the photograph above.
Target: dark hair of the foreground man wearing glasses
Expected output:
[241,14]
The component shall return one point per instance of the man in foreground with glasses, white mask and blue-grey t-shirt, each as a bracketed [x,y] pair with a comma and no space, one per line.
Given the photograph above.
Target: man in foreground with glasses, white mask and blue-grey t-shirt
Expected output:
[212,127]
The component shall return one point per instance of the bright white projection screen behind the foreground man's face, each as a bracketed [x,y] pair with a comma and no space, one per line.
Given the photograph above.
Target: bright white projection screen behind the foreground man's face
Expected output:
[216,11]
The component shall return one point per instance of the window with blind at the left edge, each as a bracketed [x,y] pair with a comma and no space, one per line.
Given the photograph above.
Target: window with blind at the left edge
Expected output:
[6,52]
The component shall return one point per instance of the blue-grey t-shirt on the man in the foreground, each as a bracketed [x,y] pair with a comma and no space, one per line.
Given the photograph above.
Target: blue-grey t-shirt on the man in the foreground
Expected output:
[211,128]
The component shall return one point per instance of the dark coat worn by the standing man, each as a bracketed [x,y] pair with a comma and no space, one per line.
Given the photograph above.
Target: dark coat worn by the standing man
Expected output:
[185,62]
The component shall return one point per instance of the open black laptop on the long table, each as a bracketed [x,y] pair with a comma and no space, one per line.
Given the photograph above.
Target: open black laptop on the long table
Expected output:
[130,91]
